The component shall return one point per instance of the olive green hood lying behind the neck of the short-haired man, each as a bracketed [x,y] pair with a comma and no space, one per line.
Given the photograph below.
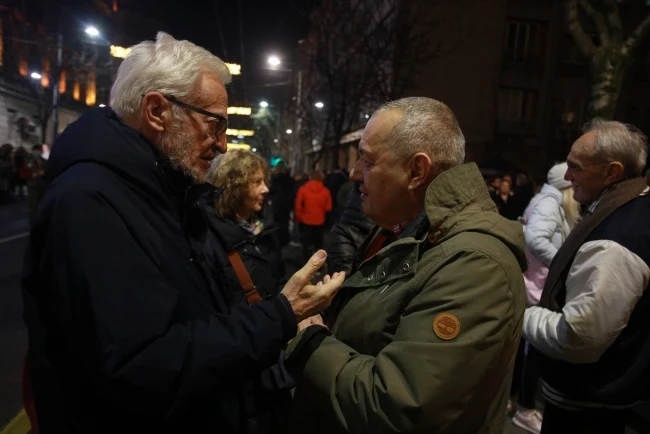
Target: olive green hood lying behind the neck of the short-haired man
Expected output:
[458,201]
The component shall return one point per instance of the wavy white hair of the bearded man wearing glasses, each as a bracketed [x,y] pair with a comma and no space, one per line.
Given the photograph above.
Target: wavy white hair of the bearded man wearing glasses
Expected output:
[166,65]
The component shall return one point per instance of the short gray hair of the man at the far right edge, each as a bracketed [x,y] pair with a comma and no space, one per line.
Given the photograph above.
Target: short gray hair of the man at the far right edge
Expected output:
[616,141]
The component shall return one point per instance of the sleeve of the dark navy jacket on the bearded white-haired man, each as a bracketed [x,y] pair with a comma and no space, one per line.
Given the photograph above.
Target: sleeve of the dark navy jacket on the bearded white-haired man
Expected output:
[146,359]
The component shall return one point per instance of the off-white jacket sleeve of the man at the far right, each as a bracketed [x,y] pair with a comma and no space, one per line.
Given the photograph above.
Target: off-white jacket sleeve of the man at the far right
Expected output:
[604,284]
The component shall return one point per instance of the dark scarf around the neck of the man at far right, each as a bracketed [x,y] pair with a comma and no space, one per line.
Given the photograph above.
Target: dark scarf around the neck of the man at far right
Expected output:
[554,293]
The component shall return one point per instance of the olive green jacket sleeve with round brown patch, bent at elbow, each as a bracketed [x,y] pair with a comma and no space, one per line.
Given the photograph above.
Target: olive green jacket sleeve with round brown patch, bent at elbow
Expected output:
[418,382]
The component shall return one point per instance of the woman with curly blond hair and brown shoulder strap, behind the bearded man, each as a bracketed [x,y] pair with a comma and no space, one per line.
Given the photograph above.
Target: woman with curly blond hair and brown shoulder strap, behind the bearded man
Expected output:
[253,269]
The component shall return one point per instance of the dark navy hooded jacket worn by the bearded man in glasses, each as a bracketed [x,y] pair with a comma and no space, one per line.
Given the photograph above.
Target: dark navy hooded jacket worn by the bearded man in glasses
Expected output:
[129,331]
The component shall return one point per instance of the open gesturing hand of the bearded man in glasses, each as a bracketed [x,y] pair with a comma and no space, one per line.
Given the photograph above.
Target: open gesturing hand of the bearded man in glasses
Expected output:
[307,299]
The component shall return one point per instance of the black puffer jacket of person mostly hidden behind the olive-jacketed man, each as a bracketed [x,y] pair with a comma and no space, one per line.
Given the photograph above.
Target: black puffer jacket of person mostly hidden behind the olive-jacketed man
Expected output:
[347,235]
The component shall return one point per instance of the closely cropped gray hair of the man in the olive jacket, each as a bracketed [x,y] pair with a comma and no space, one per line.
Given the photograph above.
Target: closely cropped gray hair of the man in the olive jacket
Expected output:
[427,126]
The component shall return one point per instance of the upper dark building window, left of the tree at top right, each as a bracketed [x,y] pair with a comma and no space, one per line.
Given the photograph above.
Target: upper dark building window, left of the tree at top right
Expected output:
[524,43]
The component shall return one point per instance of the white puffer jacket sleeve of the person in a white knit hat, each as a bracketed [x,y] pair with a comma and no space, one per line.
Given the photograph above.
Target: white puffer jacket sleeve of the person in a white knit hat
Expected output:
[541,226]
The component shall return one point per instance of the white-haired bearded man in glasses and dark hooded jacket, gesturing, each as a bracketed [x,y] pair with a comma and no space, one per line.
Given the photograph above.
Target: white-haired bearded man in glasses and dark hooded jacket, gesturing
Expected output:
[129,326]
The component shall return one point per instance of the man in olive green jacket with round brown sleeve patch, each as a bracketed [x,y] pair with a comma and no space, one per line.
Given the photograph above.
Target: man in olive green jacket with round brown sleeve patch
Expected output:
[424,333]
